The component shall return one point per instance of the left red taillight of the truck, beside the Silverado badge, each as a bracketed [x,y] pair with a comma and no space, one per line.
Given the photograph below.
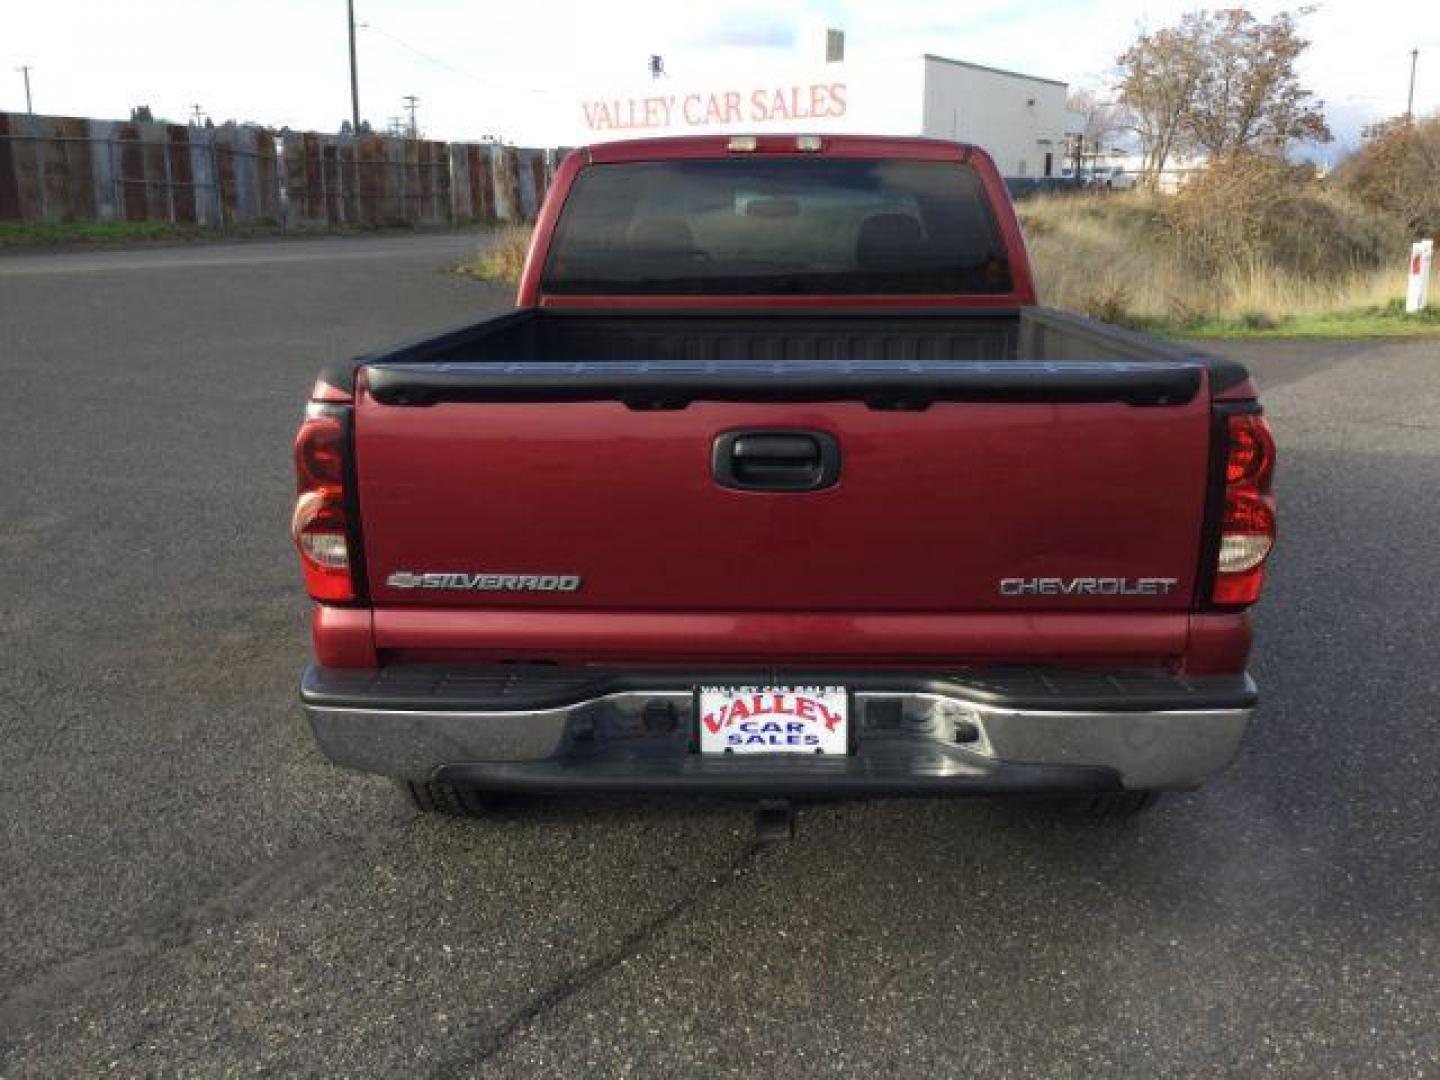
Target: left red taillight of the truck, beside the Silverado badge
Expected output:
[320,525]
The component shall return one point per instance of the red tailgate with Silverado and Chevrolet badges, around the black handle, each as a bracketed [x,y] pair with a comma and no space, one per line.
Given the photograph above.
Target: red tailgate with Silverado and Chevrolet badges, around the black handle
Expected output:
[978,499]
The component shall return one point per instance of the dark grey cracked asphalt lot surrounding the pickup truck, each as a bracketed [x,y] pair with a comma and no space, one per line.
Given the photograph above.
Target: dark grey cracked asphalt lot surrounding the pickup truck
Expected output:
[191,891]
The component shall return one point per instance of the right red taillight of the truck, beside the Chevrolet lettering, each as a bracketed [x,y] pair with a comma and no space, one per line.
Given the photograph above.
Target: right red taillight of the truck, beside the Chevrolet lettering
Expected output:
[1248,522]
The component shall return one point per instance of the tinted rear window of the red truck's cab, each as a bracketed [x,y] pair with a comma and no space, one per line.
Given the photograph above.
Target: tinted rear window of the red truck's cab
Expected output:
[757,227]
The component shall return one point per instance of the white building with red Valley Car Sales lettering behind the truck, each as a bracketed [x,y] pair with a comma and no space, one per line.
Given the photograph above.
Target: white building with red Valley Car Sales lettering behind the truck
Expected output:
[1022,120]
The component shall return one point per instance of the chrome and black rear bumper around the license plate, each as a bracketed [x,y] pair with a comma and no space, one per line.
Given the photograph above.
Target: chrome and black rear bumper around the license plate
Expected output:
[915,734]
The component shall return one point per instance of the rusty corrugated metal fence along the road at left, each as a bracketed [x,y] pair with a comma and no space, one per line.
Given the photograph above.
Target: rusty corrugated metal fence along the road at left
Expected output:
[71,169]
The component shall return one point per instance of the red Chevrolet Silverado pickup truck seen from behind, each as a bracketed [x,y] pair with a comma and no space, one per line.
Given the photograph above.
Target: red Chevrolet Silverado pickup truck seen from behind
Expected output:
[778,483]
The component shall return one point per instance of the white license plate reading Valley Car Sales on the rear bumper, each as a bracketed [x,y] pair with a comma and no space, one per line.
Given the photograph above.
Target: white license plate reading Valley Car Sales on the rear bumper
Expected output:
[774,719]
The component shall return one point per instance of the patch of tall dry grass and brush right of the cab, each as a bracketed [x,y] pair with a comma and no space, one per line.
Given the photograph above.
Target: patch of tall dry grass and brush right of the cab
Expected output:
[1251,251]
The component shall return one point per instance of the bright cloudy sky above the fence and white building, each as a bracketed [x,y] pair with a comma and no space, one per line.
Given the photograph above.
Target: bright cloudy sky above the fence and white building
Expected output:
[485,68]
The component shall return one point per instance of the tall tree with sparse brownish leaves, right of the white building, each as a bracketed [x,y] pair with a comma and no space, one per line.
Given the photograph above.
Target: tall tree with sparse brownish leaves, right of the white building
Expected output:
[1219,83]
